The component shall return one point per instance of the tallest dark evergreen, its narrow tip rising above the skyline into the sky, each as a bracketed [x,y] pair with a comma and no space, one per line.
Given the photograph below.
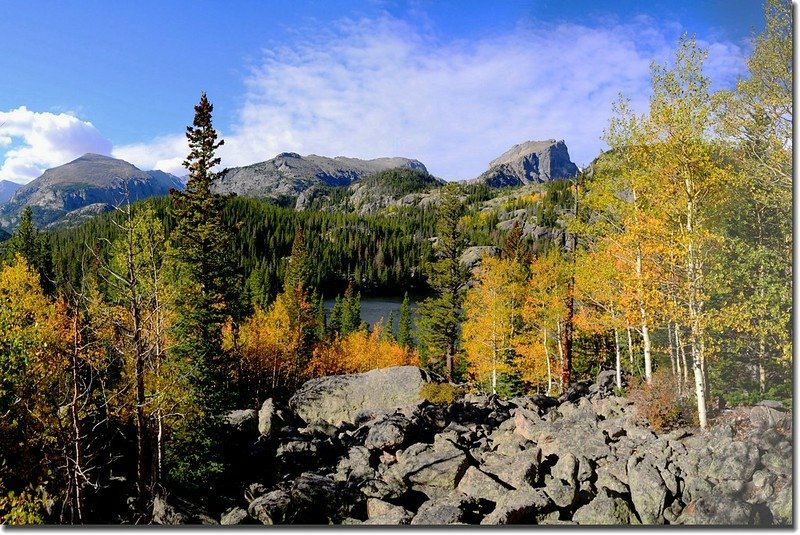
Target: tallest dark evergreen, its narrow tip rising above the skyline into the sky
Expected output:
[207,290]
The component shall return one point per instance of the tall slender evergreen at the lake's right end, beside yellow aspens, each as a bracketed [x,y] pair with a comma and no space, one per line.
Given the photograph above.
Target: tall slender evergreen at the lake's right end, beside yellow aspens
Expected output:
[441,315]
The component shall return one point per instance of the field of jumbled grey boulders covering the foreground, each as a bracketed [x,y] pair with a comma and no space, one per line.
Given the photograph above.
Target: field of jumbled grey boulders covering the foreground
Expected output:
[584,458]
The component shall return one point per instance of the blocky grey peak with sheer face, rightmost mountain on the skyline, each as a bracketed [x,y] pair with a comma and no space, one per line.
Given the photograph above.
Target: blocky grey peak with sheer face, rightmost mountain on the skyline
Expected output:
[530,162]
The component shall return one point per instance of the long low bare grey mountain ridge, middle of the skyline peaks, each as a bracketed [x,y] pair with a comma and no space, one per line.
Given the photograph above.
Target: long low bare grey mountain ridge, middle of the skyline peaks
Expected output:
[291,174]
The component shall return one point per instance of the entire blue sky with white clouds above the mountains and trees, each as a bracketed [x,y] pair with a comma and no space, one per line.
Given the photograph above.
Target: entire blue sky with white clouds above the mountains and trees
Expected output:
[451,83]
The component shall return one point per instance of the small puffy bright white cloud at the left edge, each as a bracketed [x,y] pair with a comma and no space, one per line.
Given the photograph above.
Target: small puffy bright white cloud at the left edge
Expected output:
[35,141]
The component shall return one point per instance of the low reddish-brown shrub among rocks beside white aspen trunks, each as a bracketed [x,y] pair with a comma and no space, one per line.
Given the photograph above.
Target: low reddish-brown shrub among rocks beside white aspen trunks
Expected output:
[658,402]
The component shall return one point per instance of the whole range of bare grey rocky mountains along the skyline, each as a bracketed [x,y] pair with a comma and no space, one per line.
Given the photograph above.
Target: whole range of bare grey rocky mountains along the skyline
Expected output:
[69,194]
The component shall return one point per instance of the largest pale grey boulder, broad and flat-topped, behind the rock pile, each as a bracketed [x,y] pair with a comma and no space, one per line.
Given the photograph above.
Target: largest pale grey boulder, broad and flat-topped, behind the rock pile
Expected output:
[338,398]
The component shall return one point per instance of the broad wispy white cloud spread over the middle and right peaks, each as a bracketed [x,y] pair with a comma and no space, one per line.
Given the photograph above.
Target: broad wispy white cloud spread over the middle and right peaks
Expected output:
[383,88]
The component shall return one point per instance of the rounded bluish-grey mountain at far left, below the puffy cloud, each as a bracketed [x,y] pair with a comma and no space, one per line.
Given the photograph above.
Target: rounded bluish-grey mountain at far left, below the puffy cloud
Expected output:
[88,185]
